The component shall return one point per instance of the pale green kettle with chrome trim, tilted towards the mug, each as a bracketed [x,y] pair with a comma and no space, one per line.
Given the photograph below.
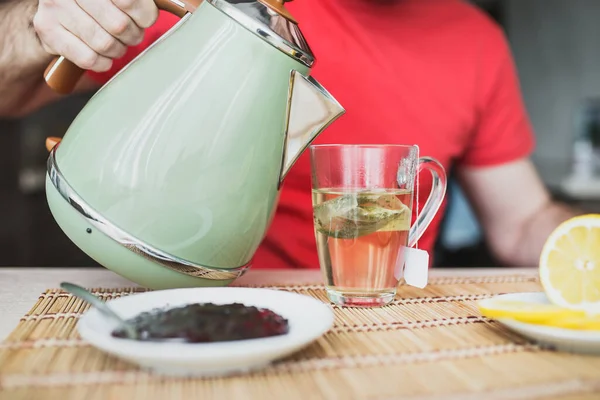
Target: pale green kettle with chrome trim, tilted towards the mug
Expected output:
[170,174]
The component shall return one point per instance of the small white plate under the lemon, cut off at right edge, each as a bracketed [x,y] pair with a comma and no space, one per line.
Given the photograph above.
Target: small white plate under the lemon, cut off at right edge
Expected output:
[569,340]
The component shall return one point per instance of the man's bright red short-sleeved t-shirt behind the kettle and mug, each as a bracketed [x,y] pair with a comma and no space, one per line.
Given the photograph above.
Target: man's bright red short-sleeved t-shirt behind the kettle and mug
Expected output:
[437,73]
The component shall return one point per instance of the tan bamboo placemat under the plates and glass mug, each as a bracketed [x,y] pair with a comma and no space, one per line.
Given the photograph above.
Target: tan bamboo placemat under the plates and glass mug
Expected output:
[429,344]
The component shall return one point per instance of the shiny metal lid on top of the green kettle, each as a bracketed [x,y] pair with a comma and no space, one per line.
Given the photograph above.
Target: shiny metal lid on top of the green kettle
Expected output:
[272,22]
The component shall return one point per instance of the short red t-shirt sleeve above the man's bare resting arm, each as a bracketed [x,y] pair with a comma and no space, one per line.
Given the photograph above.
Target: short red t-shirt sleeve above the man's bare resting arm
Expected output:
[502,132]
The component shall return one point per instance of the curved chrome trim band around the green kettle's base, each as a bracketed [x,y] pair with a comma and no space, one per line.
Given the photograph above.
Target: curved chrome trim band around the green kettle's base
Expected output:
[131,243]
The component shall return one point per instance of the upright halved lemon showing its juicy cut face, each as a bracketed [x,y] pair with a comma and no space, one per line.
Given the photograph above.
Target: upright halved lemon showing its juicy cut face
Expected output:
[570,264]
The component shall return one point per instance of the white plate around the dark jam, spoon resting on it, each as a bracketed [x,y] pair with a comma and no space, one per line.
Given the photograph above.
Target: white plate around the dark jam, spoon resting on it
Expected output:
[308,319]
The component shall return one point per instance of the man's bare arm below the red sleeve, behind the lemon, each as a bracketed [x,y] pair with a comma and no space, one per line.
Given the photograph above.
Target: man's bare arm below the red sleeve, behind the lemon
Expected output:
[514,208]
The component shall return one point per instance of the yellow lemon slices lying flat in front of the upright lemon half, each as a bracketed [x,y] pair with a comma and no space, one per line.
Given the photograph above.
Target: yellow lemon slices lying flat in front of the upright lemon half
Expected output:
[535,313]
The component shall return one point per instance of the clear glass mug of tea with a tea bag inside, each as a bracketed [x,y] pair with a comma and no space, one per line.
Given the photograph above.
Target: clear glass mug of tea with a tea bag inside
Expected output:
[362,209]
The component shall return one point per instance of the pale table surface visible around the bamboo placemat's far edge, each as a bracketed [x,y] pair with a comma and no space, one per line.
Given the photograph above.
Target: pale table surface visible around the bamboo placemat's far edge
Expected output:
[21,286]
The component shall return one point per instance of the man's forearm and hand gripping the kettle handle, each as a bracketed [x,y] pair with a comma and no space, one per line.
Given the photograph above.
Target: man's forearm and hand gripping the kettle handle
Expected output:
[90,33]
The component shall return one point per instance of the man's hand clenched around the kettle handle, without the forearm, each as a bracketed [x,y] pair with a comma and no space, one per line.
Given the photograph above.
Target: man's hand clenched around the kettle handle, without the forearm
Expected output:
[91,33]
